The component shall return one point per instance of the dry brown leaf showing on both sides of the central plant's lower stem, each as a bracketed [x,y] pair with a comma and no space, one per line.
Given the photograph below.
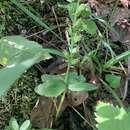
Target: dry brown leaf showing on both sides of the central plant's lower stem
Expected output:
[43,113]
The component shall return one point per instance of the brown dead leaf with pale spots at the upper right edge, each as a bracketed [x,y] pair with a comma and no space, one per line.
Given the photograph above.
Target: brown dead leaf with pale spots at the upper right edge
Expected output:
[121,25]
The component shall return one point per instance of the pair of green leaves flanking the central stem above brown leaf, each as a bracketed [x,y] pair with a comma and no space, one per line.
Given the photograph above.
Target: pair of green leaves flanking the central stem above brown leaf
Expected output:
[54,85]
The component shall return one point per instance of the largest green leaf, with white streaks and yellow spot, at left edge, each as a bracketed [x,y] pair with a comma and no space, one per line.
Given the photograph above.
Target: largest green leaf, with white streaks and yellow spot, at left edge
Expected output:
[20,54]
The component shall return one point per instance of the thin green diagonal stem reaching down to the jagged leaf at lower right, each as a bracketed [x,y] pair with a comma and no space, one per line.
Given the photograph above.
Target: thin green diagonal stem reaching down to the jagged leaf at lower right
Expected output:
[113,93]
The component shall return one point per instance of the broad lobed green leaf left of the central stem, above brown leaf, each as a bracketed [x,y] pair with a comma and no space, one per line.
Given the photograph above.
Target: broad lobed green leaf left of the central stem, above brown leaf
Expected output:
[53,86]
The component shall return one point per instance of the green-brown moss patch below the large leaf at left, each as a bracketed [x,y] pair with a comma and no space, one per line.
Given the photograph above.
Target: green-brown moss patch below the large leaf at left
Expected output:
[20,100]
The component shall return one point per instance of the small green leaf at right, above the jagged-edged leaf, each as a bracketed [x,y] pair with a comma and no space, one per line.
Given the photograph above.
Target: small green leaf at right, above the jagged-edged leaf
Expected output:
[113,80]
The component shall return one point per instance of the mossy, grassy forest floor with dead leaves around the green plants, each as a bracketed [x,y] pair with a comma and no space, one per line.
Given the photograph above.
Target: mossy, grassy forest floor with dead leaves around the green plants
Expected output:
[20,101]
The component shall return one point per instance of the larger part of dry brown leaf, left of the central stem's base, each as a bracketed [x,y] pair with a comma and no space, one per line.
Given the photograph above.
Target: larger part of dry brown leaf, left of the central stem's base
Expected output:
[43,112]
